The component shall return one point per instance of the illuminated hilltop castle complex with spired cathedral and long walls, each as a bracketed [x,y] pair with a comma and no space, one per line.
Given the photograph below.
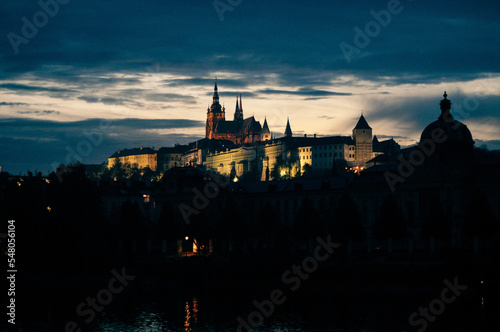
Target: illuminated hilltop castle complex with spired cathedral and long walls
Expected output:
[244,147]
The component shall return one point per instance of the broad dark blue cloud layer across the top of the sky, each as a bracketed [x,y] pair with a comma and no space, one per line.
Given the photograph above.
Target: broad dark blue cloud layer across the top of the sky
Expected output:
[189,38]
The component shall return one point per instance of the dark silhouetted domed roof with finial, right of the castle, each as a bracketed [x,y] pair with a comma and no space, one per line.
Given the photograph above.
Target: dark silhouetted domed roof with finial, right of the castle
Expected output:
[455,132]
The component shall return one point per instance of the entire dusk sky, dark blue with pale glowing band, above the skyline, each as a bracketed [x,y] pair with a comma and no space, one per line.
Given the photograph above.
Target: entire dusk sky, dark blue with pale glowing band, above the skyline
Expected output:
[149,67]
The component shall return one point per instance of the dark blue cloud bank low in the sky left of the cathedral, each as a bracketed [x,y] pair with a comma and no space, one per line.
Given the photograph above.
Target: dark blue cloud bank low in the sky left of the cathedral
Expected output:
[45,142]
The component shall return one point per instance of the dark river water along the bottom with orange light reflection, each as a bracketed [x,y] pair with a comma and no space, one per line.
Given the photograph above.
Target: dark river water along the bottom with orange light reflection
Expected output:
[321,303]
